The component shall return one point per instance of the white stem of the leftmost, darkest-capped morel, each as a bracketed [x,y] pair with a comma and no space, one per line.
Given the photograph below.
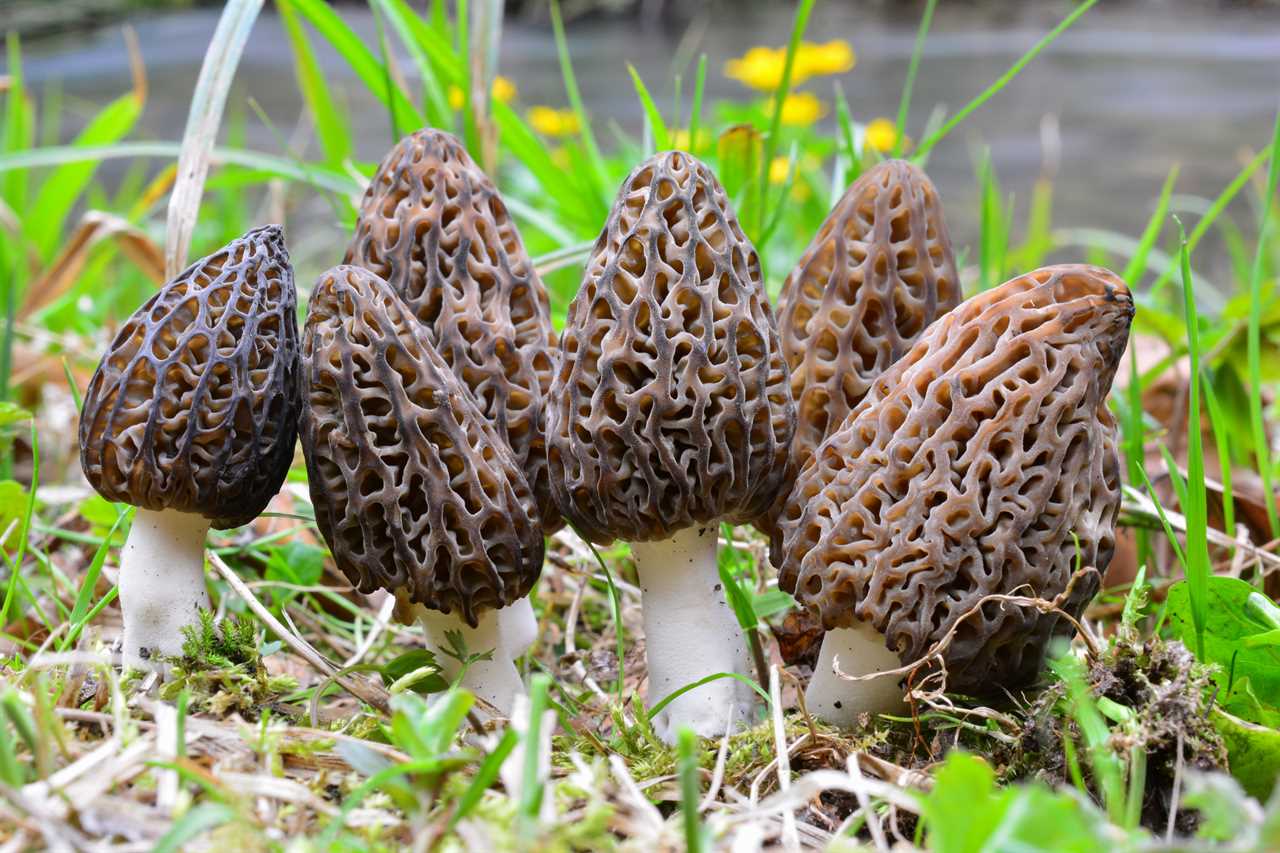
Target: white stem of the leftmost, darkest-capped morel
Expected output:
[162,583]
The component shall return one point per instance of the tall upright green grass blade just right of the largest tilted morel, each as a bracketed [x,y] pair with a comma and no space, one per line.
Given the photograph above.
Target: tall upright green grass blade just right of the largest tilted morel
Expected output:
[1199,568]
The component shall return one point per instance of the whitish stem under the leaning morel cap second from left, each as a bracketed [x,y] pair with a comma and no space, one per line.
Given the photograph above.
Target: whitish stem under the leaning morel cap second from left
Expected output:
[497,681]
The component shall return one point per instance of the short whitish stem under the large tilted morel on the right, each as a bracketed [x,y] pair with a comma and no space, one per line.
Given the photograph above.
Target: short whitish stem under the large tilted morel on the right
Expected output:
[861,651]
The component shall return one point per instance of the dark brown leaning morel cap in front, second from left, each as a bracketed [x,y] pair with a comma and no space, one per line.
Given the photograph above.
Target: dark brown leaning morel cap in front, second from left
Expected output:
[413,490]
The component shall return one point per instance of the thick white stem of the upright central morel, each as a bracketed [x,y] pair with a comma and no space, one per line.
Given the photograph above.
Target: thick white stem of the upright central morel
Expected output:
[691,633]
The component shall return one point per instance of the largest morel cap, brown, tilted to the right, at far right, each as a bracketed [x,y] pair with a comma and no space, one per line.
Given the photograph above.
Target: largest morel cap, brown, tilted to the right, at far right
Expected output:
[985,462]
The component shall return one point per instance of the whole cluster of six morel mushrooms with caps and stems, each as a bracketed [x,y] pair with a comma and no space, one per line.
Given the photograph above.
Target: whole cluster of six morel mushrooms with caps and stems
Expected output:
[912,458]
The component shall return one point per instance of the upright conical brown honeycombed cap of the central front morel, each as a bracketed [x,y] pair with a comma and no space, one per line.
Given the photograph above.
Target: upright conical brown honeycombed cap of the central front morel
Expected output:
[671,405]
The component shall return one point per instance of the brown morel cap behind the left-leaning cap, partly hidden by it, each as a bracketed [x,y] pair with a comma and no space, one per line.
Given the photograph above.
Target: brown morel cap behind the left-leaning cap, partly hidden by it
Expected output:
[435,227]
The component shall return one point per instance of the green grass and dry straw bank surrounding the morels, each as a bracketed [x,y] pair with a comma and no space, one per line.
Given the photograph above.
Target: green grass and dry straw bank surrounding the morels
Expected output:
[300,722]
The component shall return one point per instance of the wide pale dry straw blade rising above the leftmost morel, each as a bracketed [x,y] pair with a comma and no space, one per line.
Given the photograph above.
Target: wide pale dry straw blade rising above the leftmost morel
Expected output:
[203,122]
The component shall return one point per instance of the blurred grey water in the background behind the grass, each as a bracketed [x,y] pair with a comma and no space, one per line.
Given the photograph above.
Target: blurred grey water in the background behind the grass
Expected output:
[1133,89]
